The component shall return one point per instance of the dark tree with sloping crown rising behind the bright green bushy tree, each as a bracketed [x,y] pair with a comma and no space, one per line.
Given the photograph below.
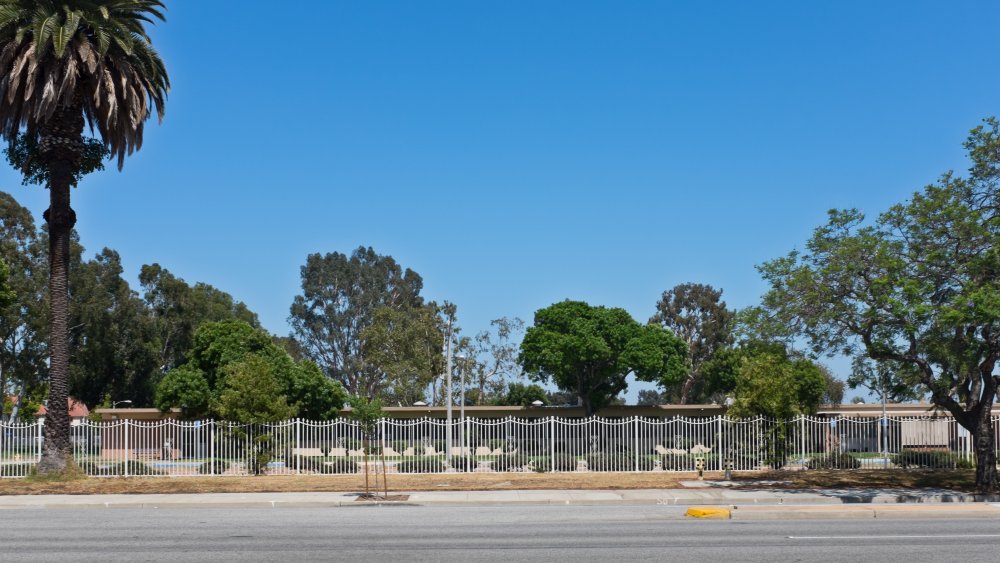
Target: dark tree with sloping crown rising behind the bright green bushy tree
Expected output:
[178,309]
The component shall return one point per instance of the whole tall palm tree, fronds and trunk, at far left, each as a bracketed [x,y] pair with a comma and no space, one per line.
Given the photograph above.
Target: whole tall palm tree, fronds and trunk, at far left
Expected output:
[66,64]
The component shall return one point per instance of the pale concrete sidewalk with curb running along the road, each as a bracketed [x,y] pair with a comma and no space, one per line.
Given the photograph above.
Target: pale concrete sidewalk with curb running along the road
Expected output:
[741,503]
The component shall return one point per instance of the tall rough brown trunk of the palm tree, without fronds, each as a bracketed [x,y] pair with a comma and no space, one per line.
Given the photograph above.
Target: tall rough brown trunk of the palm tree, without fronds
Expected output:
[61,147]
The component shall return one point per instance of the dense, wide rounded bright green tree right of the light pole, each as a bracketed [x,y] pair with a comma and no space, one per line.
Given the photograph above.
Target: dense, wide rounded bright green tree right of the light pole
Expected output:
[590,351]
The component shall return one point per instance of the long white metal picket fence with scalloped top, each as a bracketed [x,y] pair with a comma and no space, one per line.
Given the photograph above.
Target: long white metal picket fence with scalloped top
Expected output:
[189,448]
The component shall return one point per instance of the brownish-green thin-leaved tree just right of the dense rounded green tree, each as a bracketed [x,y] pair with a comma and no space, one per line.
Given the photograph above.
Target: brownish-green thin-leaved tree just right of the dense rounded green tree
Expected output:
[699,317]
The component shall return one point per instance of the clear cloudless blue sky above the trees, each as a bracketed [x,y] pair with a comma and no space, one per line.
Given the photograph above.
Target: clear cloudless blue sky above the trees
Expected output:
[520,153]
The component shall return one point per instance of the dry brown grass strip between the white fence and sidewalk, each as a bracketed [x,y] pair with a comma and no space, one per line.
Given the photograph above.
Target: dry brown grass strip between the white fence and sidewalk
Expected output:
[962,480]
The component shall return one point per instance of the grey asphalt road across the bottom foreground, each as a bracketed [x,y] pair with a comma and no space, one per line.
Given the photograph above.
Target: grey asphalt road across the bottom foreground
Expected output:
[475,533]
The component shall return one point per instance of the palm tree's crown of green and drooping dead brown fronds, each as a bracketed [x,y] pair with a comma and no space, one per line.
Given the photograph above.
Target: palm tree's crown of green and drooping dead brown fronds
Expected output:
[90,54]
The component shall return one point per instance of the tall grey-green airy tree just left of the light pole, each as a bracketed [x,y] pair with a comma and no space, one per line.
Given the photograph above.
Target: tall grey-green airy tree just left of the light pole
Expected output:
[342,298]
